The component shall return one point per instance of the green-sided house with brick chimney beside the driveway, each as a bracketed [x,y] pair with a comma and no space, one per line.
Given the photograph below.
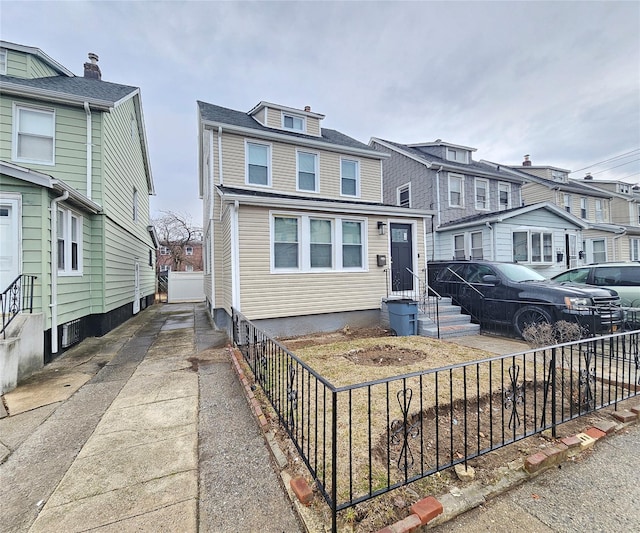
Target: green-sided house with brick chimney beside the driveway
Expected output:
[75,182]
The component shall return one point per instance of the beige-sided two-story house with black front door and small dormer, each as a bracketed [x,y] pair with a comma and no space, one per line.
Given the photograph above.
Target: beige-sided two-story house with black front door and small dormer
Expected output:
[296,235]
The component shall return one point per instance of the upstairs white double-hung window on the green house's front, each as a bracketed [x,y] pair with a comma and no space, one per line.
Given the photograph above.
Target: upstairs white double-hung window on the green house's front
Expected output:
[34,135]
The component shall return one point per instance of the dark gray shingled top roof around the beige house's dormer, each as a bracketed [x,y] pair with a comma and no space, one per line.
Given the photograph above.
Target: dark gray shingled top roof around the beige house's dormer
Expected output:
[223,115]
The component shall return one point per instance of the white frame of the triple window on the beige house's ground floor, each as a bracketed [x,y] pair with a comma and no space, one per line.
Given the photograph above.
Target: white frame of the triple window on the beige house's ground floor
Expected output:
[304,243]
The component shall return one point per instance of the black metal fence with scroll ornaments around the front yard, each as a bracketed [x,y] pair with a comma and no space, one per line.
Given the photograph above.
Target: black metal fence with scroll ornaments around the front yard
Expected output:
[365,439]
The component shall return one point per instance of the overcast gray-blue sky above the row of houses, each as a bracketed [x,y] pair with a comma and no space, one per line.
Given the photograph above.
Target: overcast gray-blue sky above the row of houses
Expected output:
[557,80]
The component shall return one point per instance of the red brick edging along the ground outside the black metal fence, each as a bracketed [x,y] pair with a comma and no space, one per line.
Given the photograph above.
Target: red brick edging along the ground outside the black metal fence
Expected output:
[431,511]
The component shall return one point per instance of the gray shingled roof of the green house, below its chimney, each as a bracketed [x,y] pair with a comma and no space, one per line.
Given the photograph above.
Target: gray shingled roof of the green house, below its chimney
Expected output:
[76,86]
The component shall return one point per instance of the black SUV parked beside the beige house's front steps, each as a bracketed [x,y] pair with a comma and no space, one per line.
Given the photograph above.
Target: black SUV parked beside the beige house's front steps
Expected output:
[513,294]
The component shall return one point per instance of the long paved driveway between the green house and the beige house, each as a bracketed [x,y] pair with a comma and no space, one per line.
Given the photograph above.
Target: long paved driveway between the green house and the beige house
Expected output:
[108,437]
